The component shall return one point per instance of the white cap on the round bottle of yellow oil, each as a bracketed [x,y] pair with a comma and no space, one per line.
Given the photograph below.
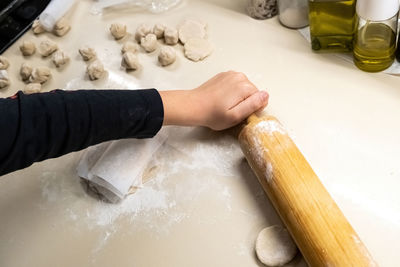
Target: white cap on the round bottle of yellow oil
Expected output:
[377,10]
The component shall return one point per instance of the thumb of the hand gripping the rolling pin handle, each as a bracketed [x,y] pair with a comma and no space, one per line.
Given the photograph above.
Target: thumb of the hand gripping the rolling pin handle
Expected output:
[248,106]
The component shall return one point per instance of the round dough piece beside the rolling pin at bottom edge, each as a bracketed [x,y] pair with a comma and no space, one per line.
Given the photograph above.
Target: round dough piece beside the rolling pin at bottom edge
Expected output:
[274,246]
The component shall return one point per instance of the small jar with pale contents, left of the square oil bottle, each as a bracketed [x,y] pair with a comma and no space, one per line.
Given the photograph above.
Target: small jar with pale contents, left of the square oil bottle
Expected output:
[293,13]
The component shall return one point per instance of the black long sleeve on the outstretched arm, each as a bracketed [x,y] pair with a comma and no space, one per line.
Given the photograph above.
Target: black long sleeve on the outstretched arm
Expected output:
[47,125]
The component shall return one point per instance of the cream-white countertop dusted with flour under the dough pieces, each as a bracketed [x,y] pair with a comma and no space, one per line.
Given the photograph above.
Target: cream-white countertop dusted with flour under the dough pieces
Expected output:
[203,206]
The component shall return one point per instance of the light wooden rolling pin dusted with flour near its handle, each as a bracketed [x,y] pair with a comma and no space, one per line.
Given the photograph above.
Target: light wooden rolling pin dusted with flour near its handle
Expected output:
[317,225]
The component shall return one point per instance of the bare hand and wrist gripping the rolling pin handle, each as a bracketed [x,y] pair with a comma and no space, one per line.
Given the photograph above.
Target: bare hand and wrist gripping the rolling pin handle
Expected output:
[222,102]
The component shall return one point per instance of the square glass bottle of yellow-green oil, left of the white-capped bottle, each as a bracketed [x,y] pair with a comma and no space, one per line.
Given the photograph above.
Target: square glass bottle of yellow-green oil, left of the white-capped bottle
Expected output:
[332,25]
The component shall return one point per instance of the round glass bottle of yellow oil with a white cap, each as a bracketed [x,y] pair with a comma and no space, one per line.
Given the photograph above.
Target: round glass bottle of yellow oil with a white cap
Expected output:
[375,40]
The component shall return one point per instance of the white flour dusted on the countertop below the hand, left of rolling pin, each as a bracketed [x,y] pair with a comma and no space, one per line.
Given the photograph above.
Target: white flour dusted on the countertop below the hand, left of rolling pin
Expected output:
[159,199]
